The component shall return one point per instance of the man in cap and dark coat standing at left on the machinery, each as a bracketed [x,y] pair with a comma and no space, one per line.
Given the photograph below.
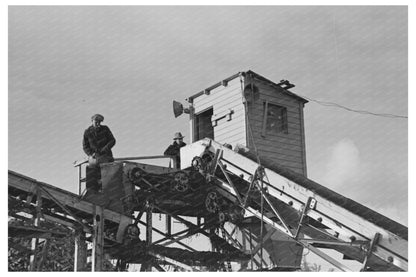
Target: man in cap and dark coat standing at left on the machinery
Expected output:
[97,143]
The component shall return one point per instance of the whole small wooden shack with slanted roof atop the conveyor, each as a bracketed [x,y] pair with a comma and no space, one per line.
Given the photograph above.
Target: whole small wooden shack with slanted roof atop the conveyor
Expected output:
[248,110]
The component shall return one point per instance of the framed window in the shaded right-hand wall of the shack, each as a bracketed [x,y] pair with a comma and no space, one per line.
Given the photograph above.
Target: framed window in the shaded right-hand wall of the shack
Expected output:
[275,119]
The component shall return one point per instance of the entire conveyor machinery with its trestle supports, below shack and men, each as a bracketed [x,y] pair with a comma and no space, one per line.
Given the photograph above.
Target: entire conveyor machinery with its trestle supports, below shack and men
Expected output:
[218,187]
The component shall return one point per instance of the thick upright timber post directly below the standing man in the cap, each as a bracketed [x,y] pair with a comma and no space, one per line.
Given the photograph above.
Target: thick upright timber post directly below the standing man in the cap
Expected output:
[98,240]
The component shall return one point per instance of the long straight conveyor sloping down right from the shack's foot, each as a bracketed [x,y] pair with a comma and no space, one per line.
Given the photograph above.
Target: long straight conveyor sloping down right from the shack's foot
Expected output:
[309,213]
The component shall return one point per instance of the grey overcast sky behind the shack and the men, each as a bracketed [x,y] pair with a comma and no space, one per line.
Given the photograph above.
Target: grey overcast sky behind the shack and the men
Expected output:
[129,63]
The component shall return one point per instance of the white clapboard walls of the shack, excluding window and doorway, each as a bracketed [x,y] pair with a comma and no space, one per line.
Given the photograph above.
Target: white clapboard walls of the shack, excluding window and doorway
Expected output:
[285,149]
